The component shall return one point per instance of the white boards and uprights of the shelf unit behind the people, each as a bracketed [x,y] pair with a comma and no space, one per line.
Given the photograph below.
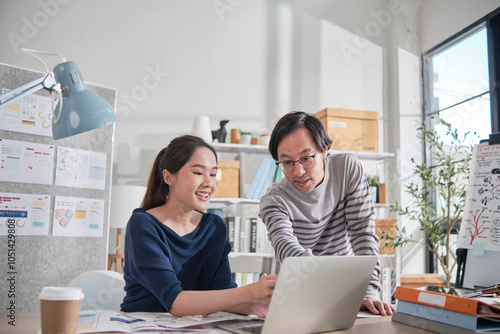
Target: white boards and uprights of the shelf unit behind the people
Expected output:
[240,261]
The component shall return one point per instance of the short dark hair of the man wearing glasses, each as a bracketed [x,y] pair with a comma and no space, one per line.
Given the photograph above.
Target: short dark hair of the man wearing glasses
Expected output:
[291,122]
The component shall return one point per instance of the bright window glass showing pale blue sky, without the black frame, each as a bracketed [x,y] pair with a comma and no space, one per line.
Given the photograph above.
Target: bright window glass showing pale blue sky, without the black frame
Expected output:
[458,85]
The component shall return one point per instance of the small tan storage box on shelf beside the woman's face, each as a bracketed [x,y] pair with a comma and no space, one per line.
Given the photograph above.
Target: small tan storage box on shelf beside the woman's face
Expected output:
[228,179]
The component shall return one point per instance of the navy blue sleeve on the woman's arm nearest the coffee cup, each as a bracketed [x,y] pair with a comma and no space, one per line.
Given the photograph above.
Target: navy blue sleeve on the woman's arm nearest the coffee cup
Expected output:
[150,263]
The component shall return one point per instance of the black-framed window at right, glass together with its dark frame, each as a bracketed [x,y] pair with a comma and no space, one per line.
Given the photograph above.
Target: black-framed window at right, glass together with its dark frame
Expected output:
[460,85]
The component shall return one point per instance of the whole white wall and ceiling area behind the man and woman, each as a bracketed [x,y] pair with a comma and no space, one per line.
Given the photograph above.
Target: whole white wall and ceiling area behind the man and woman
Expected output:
[247,61]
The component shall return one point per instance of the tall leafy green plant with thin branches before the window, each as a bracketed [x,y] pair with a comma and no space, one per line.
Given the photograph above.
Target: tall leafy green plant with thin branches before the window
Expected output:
[438,198]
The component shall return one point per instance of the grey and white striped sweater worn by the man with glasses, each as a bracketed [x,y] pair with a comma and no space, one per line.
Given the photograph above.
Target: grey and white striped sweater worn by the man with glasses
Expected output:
[335,218]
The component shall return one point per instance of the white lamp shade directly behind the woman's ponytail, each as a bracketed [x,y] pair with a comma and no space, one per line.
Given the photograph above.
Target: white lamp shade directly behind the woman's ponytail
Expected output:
[124,199]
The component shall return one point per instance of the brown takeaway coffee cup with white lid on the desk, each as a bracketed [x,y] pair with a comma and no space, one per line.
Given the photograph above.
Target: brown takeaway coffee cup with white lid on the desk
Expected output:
[60,309]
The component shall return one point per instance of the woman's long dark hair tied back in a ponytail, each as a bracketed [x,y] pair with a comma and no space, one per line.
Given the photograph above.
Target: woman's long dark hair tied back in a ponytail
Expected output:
[171,158]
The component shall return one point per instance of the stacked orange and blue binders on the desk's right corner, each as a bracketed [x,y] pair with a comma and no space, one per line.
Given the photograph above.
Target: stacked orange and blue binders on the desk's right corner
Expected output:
[445,310]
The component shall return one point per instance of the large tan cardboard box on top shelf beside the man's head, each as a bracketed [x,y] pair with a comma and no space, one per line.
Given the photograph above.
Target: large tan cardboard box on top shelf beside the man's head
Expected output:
[351,130]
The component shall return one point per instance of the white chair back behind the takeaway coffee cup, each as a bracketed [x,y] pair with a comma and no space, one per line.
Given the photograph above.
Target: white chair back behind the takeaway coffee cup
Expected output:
[103,289]
